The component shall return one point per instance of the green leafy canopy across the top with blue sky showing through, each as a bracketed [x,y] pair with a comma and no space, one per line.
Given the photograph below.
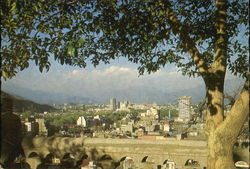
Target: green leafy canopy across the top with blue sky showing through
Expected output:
[76,31]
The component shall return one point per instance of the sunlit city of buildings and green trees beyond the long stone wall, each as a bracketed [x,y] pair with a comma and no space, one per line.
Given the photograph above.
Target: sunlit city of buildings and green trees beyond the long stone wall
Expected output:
[119,120]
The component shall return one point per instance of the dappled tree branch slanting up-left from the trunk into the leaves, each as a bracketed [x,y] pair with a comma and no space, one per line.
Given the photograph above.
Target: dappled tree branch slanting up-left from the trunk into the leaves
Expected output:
[182,30]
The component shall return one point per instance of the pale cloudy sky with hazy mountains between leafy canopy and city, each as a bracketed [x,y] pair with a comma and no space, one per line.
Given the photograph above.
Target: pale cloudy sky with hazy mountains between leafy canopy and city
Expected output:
[119,79]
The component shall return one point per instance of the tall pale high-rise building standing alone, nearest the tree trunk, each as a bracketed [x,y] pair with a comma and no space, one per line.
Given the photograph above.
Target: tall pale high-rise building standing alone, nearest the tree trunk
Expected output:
[184,108]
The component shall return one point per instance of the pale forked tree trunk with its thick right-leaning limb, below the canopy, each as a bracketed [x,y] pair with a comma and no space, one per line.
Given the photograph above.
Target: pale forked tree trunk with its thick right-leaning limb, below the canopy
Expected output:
[223,132]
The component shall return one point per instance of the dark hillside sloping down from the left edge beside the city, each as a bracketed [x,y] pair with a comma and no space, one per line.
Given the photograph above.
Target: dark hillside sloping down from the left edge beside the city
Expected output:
[22,104]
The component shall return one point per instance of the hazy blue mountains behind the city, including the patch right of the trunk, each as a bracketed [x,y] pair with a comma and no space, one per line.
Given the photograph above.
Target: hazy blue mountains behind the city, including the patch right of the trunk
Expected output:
[145,94]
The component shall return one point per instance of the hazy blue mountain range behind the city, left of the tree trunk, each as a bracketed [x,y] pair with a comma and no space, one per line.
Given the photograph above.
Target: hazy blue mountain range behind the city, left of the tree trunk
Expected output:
[136,95]
